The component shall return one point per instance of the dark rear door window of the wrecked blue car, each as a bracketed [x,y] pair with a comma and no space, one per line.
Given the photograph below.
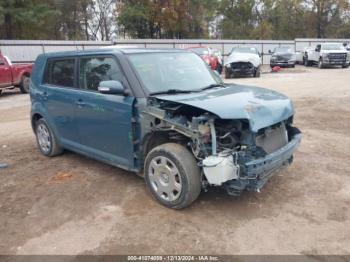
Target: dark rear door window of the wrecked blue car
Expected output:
[60,72]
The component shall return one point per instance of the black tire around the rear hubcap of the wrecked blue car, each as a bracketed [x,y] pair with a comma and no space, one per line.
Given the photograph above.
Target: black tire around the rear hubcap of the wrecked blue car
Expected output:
[54,149]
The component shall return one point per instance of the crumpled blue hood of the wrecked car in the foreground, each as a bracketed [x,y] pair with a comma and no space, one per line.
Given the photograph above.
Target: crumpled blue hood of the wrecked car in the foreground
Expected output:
[261,107]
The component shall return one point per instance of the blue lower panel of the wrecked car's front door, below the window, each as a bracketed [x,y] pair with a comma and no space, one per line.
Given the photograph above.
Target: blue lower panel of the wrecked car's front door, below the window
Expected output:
[104,124]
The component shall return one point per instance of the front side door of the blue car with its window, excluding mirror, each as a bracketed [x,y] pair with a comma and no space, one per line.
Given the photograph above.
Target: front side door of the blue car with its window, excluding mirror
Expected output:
[104,120]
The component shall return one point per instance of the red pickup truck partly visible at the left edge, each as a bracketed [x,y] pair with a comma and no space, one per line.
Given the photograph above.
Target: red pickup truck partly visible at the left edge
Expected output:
[12,76]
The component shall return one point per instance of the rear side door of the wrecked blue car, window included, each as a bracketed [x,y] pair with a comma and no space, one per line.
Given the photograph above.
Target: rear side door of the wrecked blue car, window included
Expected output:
[58,93]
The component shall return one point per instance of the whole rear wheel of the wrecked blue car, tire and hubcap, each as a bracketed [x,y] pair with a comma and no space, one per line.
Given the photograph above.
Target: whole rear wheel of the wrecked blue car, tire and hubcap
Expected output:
[46,140]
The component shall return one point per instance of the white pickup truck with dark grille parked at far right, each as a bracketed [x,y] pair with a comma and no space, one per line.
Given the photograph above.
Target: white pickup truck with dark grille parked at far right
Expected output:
[328,54]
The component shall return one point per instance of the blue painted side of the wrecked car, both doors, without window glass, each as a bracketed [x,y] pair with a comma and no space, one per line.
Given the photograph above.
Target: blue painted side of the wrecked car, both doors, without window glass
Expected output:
[96,125]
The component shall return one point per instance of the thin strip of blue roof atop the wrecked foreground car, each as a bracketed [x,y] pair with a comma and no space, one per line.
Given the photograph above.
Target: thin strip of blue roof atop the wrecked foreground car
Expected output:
[115,50]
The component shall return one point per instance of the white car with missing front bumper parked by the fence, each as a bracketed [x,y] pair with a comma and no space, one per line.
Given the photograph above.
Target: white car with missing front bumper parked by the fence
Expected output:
[243,60]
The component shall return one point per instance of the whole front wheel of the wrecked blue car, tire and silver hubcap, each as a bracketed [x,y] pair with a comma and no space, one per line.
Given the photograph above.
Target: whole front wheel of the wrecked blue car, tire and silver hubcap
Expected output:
[172,175]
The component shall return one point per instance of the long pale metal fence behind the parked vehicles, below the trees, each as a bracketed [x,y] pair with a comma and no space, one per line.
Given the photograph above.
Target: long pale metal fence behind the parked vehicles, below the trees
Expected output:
[27,50]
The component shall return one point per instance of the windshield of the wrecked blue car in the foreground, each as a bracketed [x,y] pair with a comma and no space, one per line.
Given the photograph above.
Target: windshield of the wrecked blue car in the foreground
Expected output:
[160,72]
